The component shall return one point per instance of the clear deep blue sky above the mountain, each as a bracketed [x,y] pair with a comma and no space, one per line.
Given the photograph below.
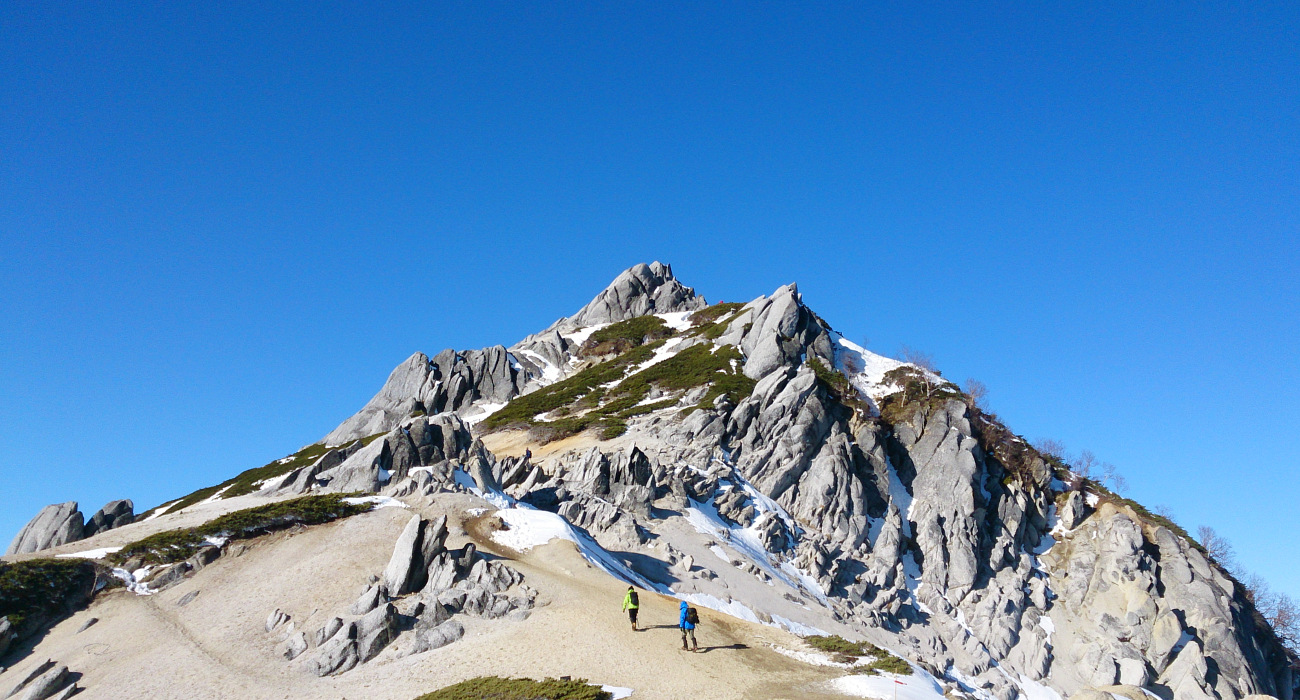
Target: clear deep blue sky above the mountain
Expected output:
[223,226]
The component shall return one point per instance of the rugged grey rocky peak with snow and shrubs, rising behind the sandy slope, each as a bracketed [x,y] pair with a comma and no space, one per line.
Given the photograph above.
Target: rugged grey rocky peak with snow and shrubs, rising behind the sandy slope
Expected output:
[749,460]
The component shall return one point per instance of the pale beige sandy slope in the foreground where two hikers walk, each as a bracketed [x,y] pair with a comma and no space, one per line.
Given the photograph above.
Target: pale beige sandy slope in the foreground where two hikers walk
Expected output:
[216,645]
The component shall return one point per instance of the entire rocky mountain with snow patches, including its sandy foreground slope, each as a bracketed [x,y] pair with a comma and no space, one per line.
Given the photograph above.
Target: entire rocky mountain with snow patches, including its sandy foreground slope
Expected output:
[847,525]
